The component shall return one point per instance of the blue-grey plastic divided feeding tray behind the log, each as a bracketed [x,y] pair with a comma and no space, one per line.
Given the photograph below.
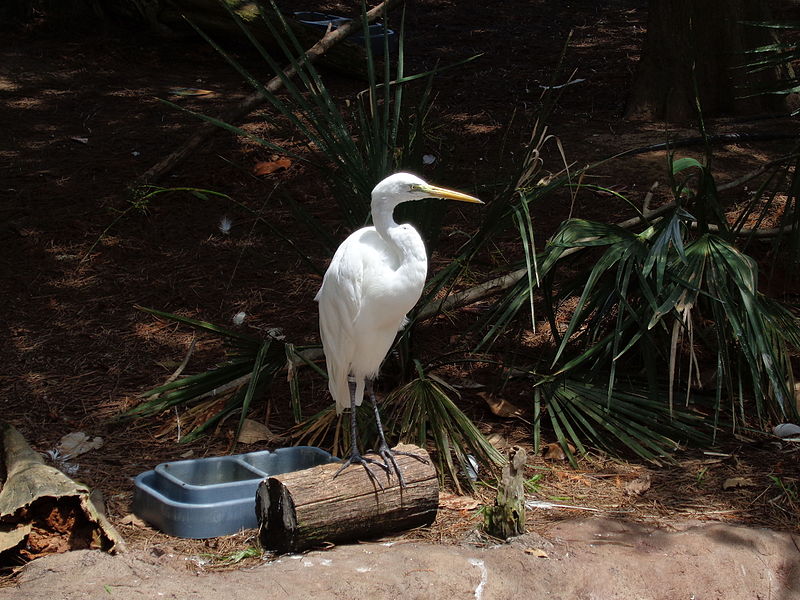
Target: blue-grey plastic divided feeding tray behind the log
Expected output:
[209,497]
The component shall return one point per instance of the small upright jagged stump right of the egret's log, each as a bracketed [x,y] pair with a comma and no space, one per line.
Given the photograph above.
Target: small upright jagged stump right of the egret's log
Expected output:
[507,517]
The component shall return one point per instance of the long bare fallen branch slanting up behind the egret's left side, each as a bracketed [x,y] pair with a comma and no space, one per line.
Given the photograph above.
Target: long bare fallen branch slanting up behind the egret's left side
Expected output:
[204,130]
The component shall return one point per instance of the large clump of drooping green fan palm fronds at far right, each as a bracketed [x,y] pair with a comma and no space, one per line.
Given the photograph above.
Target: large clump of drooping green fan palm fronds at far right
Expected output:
[649,308]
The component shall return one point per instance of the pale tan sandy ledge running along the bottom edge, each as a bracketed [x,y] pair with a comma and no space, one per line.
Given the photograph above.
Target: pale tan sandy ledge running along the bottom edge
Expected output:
[578,559]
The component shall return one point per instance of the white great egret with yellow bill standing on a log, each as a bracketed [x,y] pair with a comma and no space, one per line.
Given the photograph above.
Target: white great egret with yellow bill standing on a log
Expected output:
[374,279]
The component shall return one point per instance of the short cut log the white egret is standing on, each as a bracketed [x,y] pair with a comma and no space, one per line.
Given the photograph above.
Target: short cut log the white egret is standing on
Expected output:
[309,508]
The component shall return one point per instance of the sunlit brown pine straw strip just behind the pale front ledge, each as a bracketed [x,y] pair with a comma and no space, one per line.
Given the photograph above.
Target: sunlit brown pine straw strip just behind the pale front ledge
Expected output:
[692,489]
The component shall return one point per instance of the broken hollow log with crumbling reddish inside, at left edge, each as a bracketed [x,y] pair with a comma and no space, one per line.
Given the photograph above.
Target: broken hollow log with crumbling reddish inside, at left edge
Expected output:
[43,511]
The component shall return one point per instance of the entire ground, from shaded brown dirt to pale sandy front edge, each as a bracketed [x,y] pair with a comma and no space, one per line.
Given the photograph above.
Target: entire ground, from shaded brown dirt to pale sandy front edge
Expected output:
[81,119]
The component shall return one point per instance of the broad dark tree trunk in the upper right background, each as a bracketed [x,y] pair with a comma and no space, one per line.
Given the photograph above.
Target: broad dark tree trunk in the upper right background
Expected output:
[691,50]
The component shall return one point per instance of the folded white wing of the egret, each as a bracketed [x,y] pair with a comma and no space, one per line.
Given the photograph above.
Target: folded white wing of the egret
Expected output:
[340,302]
